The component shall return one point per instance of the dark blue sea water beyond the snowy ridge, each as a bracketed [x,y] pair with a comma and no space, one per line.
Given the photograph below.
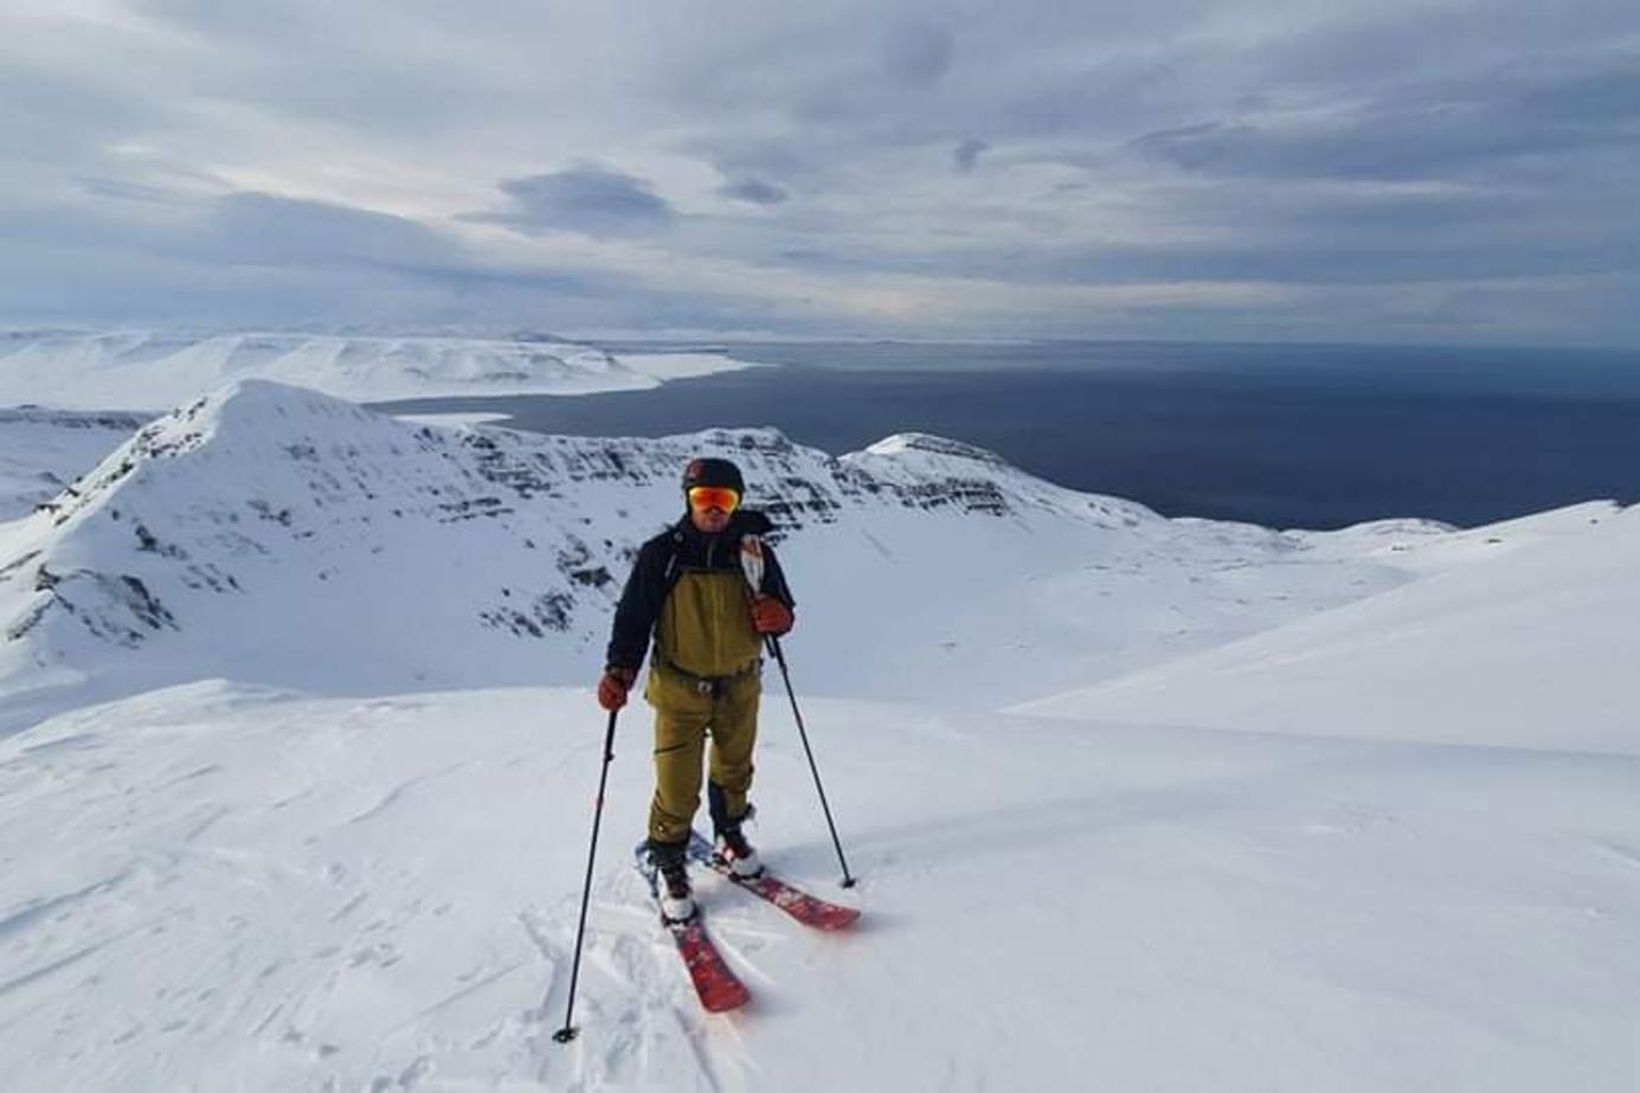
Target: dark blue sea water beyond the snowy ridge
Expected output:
[1282,436]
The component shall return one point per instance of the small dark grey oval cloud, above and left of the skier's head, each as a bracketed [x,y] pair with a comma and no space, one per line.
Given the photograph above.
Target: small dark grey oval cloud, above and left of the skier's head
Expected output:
[586,199]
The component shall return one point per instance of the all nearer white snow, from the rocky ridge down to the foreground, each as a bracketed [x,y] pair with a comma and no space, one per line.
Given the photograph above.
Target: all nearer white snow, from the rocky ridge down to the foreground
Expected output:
[1310,812]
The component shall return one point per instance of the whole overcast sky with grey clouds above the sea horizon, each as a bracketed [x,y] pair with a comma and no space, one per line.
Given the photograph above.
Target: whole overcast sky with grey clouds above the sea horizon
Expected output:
[1275,170]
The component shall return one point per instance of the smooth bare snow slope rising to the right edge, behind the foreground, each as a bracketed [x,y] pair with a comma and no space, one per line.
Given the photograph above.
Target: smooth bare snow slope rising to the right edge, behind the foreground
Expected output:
[1533,647]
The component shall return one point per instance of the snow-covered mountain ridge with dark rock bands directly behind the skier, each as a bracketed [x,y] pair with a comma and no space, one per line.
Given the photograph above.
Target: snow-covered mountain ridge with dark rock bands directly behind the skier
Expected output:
[286,537]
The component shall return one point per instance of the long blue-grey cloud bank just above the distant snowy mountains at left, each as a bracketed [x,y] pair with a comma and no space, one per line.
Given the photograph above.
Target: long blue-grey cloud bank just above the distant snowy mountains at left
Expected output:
[255,258]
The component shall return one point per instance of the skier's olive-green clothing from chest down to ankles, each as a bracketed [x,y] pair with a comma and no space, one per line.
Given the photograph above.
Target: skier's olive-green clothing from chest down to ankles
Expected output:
[704,682]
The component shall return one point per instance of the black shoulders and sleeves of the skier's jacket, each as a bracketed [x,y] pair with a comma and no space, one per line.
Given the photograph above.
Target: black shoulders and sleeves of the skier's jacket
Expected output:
[663,559]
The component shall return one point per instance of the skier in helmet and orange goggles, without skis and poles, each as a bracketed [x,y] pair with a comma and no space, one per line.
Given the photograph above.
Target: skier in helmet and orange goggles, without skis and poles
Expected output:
[690,595]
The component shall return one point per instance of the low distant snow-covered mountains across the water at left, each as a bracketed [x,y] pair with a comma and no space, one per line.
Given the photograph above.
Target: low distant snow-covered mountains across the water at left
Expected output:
[145,370]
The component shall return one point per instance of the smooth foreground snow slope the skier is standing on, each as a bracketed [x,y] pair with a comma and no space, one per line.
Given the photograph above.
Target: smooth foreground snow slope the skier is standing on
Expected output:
[216,889]
